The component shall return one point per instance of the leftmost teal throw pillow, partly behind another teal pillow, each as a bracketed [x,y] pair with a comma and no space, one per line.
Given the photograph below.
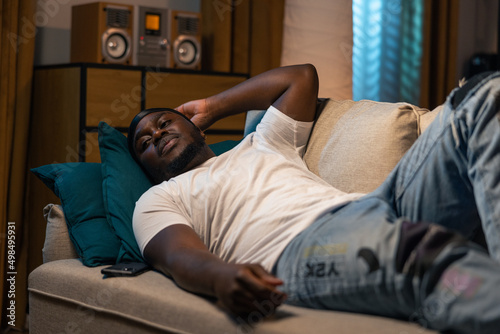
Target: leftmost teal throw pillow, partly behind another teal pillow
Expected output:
[79,187]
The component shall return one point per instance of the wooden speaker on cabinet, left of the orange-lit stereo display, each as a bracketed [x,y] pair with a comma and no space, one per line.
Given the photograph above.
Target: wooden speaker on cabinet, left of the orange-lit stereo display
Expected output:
[101,33]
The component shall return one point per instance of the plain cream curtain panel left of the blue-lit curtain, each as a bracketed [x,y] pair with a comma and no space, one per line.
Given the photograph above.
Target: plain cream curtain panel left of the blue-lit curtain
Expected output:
[320,32]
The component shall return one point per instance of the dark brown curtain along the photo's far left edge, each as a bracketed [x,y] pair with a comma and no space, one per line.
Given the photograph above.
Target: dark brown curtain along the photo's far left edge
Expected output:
[16,69]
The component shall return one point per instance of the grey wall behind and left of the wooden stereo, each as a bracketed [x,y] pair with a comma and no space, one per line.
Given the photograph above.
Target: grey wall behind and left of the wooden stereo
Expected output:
[53,20]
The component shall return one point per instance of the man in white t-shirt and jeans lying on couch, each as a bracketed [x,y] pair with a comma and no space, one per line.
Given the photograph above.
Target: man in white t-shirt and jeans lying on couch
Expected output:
[254,225]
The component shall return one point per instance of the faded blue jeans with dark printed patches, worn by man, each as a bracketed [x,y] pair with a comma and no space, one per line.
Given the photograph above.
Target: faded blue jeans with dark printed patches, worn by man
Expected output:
[367,257]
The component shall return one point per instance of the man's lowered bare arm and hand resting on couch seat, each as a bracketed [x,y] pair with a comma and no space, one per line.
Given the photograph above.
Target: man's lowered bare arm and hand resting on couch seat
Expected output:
[178,252]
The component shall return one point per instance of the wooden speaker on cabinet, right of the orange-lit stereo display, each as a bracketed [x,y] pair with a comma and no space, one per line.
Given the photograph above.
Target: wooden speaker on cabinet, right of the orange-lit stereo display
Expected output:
[185,40]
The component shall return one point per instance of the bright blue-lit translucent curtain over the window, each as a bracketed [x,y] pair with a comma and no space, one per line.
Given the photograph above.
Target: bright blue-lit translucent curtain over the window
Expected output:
[387,49]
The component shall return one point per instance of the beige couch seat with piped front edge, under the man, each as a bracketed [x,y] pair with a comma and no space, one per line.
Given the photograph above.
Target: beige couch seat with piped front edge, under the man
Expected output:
[66,296]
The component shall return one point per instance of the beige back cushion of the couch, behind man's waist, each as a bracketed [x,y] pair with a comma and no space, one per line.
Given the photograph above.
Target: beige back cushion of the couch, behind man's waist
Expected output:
[354,145]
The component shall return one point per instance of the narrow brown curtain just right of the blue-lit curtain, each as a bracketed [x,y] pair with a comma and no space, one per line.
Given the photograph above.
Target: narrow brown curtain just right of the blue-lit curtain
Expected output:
[438,75]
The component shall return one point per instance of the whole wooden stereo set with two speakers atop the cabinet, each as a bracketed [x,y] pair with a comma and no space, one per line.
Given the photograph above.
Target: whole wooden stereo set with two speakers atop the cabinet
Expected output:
[112,33]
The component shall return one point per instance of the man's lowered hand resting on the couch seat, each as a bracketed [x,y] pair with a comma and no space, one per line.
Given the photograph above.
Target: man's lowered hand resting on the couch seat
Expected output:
[245,288]
